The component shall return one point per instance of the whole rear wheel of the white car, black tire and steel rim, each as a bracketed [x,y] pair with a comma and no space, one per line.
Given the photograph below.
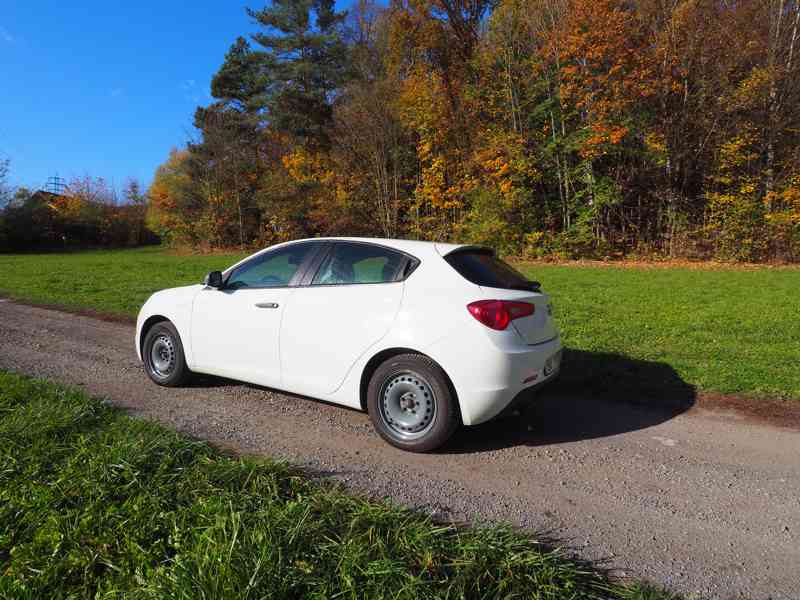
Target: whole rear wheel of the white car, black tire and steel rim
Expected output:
[411,403]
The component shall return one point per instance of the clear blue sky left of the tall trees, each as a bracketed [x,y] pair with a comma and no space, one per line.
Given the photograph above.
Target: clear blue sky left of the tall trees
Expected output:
[106,88]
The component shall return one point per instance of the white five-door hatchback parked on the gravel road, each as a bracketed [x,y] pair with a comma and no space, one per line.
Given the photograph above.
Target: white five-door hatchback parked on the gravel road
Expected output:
[423,336]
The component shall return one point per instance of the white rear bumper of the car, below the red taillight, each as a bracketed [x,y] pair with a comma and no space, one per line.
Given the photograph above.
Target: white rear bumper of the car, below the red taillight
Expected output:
[490,378]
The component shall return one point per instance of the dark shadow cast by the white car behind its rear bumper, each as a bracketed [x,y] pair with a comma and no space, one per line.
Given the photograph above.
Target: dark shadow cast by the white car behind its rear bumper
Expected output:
[597,395]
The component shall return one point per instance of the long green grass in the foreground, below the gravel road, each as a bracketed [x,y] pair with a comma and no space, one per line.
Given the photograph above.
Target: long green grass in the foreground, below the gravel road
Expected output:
[95,504]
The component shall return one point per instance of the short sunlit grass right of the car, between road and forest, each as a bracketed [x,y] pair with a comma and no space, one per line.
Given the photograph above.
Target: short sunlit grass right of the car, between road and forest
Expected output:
[726,330]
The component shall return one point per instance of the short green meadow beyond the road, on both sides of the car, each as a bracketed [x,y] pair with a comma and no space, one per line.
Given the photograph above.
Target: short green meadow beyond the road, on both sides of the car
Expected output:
[730,331]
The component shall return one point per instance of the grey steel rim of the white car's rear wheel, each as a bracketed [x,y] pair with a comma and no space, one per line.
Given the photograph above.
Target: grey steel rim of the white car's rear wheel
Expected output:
[407,405]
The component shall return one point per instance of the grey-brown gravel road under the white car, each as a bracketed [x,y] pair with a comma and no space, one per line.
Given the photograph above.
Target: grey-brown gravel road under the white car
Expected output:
[701,501]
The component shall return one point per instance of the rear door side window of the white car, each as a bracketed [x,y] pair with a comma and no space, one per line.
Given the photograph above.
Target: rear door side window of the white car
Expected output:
[359,263]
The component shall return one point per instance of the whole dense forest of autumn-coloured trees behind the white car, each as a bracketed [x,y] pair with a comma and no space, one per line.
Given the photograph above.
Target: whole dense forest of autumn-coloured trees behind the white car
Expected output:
[540,127]
